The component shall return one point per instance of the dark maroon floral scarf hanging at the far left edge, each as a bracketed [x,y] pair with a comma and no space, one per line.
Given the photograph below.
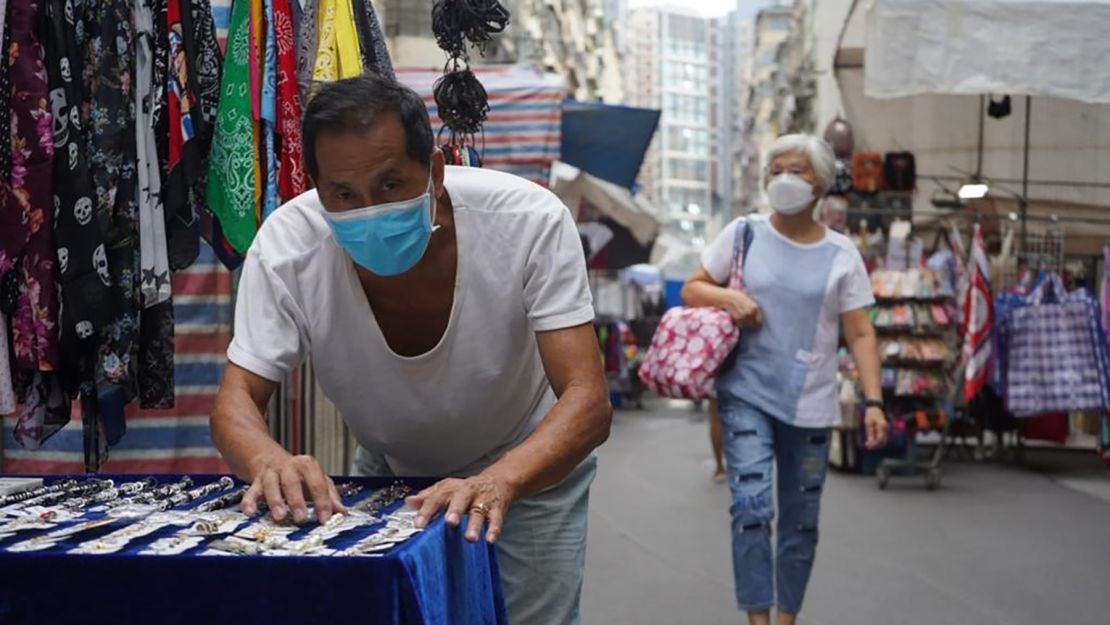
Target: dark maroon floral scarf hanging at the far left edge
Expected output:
[27,218]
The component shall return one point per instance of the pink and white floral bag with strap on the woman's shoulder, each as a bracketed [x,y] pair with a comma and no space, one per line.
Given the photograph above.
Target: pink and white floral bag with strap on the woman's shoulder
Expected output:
[692,344]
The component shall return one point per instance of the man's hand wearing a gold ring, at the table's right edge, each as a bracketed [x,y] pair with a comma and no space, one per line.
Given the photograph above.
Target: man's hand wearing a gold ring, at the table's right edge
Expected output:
[485,498]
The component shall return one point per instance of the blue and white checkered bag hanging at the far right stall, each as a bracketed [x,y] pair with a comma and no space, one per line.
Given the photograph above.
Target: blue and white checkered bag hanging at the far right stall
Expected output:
[1058,359]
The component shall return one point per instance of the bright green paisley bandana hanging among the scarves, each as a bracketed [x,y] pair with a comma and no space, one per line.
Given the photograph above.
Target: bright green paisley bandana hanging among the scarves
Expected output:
[231,175]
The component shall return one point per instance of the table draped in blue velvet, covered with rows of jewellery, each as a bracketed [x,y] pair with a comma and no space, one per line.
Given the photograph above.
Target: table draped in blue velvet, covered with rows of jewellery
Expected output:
[377,569]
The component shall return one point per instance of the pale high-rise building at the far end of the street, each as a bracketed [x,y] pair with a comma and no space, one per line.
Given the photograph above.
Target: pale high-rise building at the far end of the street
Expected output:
[674,64]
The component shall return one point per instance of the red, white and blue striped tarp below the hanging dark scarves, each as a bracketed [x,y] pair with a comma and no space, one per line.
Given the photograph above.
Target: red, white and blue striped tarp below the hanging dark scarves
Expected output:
[162,441]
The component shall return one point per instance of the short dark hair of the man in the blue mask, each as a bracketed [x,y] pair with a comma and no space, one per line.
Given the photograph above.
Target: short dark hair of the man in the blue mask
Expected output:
[356,105]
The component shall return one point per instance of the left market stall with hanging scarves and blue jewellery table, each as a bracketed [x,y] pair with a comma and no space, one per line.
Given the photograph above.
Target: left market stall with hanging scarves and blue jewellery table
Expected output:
[144,164]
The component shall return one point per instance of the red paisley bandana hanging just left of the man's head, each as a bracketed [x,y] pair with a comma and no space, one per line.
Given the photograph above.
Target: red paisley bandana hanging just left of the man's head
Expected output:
[291,178]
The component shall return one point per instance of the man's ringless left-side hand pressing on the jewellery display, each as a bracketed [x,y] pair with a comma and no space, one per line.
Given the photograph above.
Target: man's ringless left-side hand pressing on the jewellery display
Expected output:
[286,483]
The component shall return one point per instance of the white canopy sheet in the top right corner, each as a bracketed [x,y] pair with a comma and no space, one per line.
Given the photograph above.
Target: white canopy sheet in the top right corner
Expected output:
[1055,48]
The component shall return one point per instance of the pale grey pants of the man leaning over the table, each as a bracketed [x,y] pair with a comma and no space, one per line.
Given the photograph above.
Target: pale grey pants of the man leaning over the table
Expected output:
[542,551]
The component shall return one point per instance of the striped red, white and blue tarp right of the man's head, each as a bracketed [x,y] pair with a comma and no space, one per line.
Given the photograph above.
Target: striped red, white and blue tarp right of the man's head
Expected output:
[523,133]
